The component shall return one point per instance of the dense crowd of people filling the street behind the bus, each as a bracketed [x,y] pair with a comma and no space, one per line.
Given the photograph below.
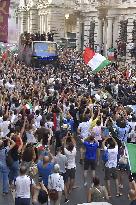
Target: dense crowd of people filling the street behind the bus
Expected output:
[47,115]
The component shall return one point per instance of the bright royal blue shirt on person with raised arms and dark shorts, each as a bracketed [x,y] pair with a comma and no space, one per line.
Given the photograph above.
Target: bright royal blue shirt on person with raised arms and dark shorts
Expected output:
[91,150]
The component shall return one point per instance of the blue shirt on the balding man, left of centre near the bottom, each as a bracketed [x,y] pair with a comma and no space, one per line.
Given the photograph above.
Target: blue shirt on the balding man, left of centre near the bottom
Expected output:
[44,172]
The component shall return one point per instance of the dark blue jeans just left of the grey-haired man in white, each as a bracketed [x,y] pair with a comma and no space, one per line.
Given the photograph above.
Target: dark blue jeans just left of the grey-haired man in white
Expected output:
[14,171]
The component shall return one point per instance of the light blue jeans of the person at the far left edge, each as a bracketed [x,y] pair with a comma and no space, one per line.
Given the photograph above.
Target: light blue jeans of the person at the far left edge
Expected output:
[4,171]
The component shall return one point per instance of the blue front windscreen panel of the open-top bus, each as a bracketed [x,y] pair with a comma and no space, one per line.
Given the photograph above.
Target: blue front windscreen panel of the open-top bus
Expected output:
[44,49]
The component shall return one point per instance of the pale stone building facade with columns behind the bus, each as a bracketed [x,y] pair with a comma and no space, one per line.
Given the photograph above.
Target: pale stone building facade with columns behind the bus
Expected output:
[93,22]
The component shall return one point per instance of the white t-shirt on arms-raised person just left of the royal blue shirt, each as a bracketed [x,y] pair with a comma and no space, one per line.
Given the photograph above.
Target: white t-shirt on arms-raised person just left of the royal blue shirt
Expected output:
[70,158]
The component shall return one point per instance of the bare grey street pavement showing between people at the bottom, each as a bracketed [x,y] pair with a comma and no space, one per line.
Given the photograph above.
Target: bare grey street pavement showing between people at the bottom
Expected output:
[79,194]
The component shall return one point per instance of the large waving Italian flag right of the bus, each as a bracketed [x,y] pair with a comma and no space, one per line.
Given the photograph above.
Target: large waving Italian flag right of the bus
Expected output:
[95,60]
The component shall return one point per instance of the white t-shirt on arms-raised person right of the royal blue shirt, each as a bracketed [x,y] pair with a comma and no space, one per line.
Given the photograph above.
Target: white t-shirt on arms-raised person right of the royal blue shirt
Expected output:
[112,157]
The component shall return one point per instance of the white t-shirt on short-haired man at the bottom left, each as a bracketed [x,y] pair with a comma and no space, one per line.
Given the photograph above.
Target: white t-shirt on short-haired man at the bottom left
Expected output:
[23,184]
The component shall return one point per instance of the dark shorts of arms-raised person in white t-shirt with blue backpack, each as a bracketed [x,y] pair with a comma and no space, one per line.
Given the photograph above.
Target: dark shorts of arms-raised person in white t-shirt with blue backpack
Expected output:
[111,172]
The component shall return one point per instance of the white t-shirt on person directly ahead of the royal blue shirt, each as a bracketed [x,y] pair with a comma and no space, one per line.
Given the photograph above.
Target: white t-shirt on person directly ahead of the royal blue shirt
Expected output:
[84,129]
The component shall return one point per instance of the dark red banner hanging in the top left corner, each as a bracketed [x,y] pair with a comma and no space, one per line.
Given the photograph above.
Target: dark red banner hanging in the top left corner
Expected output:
[4,14]
